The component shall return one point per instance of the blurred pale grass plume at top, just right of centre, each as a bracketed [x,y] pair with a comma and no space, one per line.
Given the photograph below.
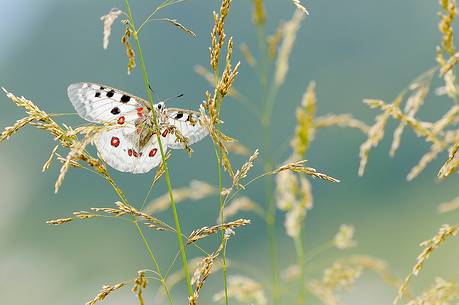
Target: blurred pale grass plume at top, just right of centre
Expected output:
[289,36]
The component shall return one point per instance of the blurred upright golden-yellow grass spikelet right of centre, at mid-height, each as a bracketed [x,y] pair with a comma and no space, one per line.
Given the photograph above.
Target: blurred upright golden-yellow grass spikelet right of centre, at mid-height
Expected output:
[305,116]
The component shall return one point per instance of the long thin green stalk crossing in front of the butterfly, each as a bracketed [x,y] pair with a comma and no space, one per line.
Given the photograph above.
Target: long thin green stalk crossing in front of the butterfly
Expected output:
[166,170]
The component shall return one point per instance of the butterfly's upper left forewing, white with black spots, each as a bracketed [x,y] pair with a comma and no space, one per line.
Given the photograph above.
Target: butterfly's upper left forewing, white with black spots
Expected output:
[101,104]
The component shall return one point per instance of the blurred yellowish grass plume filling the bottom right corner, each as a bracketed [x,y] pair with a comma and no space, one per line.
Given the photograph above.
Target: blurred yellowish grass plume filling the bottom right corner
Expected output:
[441,293]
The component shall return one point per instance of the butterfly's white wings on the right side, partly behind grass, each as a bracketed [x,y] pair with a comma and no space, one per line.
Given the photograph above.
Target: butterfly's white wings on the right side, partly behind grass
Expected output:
[188,123]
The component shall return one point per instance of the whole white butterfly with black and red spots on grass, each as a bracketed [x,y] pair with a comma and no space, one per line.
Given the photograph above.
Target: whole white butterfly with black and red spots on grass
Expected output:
[132,144]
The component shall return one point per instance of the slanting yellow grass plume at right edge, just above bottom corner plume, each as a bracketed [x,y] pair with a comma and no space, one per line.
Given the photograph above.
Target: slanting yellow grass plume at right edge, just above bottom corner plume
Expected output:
[445,232]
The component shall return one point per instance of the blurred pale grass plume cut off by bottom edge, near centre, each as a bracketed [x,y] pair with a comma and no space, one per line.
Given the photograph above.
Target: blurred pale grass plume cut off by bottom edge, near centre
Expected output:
[244,290]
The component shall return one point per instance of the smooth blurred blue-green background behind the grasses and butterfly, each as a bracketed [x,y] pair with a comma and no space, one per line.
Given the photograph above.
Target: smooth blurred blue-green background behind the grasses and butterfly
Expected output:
[353,49]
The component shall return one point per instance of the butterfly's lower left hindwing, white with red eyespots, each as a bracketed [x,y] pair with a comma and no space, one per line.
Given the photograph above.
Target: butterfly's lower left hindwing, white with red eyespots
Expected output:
[119,149]
